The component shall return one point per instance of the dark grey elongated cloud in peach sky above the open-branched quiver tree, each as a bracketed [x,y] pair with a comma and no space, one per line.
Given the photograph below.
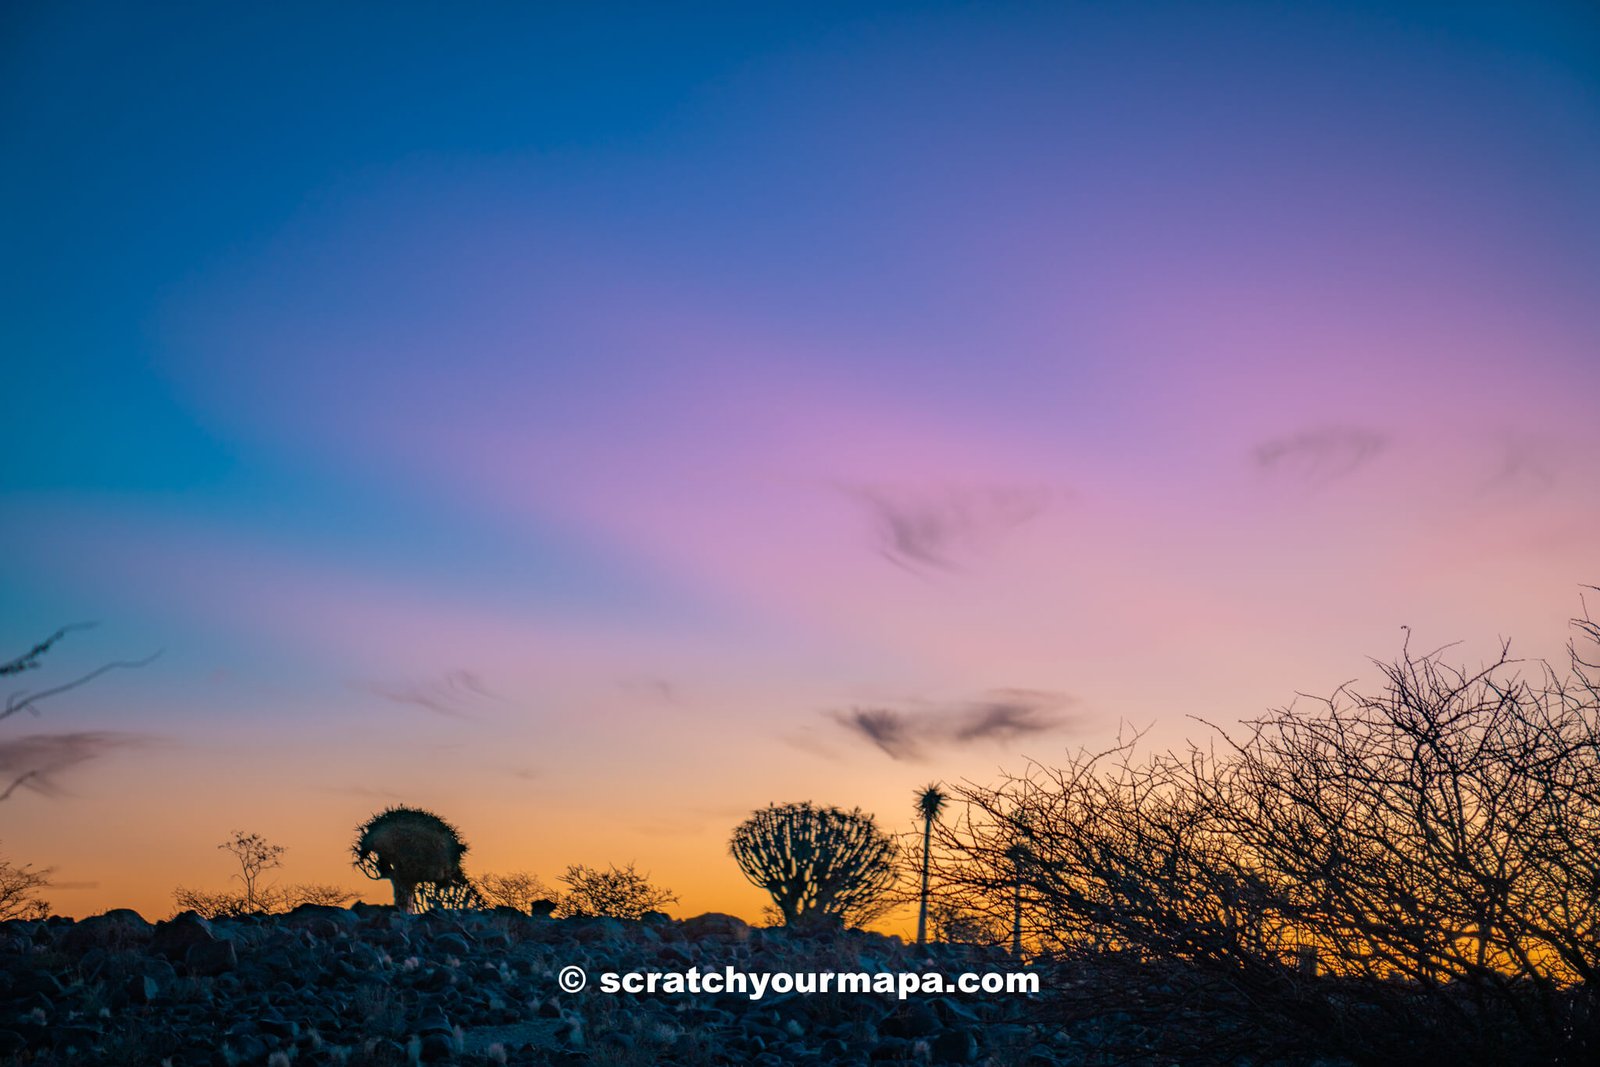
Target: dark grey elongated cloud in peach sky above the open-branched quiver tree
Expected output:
[1001,716]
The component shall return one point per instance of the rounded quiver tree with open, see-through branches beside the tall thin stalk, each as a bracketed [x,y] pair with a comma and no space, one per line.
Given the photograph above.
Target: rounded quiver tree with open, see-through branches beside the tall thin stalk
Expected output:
[822,865]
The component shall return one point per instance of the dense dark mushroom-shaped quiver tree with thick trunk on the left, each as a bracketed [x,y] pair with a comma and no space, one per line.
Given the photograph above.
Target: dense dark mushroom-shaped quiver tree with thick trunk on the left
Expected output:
[420,855]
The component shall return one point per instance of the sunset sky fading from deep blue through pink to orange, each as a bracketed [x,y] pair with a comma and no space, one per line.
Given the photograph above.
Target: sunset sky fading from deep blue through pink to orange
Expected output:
[593,423]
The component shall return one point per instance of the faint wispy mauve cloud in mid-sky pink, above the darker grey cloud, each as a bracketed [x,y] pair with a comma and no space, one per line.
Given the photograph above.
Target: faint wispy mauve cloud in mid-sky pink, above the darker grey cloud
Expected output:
[938,529]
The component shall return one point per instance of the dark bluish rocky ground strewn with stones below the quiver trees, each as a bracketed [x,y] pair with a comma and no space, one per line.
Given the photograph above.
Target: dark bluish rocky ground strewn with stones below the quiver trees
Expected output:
[372,986]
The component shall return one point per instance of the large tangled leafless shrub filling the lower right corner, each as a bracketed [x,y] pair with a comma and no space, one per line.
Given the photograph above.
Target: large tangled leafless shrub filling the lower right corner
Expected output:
[1401,876]
